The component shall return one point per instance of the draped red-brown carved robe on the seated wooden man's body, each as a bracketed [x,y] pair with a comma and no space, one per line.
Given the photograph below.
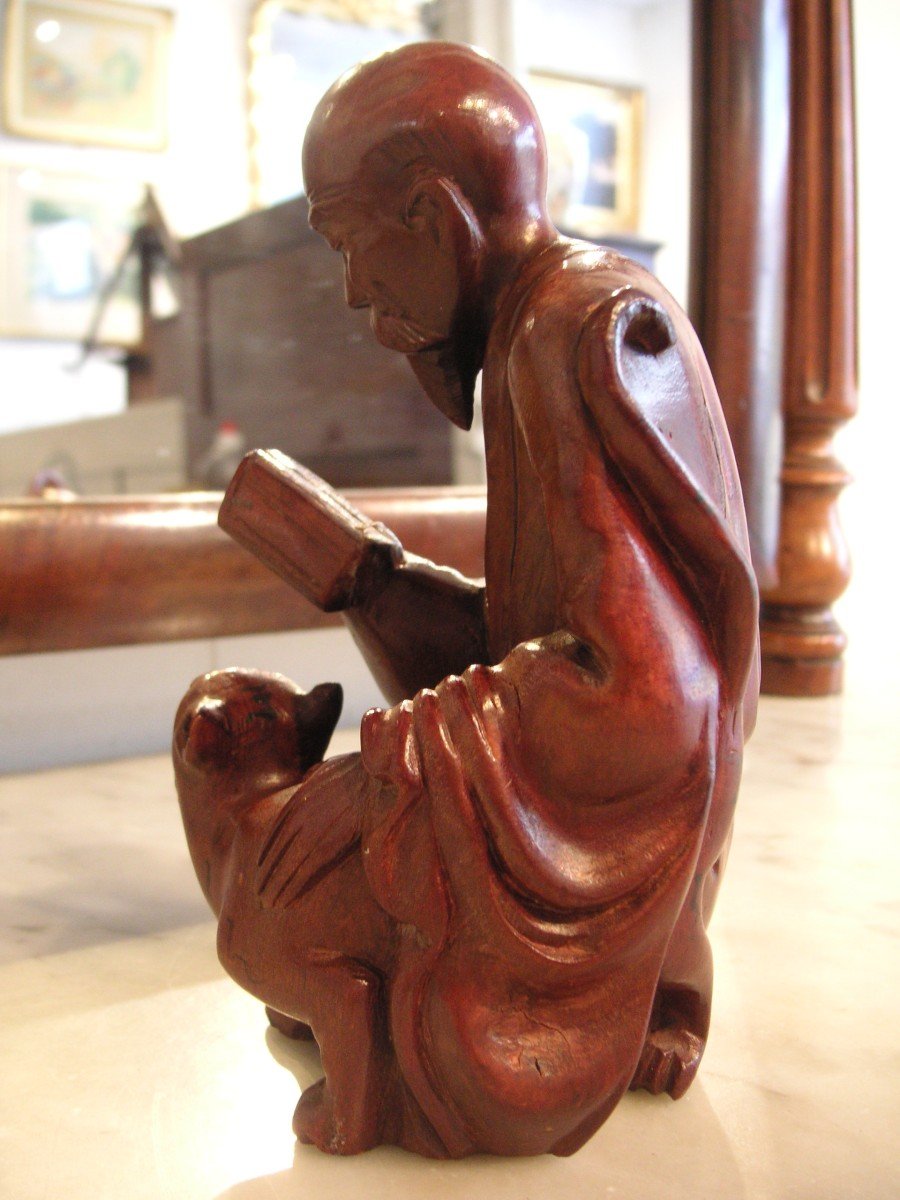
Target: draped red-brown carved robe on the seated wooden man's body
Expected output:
[535,826]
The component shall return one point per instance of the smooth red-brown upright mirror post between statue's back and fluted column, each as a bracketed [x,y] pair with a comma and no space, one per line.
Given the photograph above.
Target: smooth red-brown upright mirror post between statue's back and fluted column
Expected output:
[739,238]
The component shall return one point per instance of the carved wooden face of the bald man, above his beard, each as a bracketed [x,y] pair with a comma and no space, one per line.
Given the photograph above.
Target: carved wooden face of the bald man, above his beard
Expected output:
[395,269]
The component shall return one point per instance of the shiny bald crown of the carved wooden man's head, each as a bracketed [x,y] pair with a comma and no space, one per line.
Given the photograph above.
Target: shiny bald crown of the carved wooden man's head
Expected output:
[431,109]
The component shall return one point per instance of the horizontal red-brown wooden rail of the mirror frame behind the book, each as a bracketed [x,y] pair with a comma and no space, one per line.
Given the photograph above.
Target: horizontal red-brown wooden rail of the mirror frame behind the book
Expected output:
[82,574]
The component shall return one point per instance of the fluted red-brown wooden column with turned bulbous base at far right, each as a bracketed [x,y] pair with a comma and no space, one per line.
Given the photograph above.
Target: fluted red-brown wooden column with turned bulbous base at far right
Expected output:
[802,641]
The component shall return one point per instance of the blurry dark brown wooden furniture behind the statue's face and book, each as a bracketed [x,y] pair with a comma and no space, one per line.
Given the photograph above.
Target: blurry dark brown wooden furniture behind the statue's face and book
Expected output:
[262,338]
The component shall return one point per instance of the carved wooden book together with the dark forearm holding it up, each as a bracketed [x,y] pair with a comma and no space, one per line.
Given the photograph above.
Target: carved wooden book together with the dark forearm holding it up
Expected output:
[415,622]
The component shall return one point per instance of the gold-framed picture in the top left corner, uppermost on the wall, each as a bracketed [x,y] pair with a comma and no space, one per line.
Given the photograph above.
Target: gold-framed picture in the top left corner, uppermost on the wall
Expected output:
[88,71]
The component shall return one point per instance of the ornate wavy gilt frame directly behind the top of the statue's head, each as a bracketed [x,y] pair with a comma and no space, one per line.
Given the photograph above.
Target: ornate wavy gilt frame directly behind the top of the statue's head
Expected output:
[297,50]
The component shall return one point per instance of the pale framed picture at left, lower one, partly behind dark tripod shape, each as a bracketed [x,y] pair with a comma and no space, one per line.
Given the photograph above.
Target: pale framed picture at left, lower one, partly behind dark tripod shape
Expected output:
[62,239]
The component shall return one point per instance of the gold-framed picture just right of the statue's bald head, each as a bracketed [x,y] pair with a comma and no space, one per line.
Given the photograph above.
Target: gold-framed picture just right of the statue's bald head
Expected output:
[593,134]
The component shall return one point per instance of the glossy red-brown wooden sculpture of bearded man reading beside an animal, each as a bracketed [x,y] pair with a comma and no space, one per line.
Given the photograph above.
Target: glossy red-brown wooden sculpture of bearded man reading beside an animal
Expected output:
[494,919]
